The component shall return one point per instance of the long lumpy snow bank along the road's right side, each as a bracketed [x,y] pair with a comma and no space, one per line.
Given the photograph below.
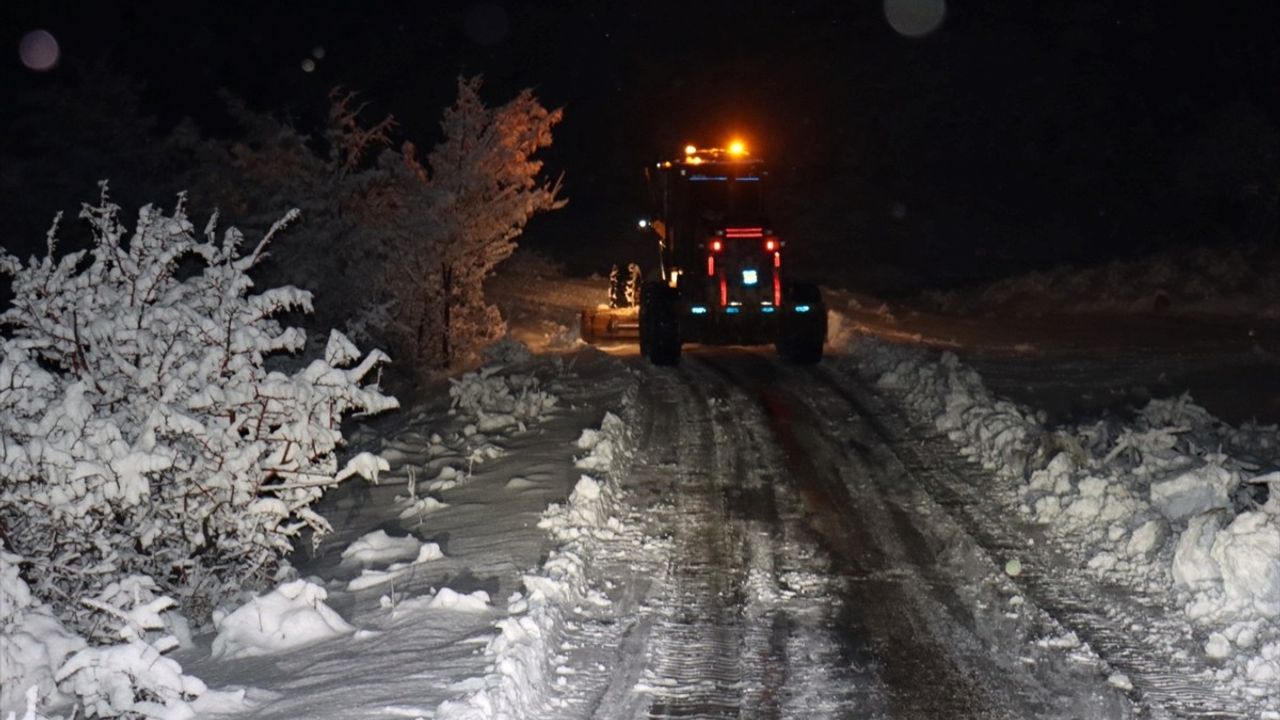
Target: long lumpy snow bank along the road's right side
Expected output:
[1173,503]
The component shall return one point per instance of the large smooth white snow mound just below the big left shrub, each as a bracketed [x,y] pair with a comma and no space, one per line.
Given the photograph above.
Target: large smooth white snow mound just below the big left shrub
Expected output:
[292,616]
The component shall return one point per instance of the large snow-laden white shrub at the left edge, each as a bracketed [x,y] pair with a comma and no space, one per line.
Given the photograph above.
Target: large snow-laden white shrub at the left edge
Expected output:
[140,429]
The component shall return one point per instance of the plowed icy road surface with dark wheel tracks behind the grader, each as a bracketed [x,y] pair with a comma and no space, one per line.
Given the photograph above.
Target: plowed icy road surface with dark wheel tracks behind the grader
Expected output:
[808,573]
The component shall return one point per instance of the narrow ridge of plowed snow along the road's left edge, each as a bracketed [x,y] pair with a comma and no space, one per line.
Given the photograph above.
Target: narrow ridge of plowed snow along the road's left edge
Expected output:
[524,654]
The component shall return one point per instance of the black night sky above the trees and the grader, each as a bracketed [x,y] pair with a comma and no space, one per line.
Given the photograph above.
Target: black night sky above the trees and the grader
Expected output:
[1016,135]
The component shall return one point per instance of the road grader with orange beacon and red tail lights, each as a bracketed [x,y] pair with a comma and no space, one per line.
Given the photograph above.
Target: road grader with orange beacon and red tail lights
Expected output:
[720,277]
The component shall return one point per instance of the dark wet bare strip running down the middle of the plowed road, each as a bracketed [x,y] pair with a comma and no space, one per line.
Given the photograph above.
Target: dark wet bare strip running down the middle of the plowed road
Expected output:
[889,622]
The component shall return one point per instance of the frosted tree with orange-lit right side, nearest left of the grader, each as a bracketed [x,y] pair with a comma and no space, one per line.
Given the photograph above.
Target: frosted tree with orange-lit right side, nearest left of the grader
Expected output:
[451,222]
